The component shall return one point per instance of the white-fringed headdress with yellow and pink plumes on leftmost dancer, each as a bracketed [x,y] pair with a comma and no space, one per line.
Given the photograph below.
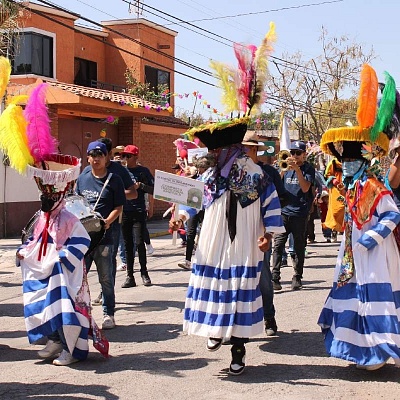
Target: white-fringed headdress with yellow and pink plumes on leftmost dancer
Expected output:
[25,137]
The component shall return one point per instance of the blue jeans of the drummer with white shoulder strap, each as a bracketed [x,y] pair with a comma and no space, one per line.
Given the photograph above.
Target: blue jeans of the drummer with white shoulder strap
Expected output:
[101,256]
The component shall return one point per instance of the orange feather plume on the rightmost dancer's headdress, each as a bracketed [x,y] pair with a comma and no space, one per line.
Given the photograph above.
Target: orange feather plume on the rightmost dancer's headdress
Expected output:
[367,97]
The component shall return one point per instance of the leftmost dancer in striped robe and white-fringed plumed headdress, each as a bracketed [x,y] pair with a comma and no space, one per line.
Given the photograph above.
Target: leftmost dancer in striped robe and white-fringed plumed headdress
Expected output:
[55,289]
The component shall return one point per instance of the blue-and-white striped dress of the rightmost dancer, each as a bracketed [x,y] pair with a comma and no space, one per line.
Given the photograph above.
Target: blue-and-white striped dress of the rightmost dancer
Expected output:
[361,320]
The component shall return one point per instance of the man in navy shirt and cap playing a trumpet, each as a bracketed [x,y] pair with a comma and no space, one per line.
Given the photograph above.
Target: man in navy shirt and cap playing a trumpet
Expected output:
[298,181]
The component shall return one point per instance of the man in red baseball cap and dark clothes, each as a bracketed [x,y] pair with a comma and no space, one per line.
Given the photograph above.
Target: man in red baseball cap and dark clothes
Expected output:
[134,217]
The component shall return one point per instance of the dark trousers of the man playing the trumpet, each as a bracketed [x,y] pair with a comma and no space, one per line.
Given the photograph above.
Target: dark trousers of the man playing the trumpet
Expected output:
[297,226]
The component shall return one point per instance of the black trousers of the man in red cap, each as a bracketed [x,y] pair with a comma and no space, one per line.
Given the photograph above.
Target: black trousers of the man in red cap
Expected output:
[132,231]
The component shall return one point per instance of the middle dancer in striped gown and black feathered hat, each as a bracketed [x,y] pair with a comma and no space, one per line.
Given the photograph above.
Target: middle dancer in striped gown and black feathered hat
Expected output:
[242,211]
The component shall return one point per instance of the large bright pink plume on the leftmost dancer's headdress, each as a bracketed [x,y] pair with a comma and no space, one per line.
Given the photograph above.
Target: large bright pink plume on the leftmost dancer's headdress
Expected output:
[40,141]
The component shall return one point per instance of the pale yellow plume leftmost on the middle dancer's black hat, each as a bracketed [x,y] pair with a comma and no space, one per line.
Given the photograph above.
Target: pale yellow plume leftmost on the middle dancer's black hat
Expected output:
[229,93]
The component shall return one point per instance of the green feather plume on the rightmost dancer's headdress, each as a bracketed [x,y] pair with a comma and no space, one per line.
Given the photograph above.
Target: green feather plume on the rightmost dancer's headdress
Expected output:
[386,107]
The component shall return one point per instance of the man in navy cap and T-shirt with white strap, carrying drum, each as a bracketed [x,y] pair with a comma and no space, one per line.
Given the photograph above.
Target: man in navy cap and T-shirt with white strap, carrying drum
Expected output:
[105,192]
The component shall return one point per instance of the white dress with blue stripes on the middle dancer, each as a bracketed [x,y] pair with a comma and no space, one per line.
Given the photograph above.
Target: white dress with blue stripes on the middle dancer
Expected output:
[223,298]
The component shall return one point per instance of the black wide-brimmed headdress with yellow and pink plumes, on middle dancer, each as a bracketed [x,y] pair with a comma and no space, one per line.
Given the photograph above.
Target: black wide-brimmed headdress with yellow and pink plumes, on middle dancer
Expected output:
[242,92]
